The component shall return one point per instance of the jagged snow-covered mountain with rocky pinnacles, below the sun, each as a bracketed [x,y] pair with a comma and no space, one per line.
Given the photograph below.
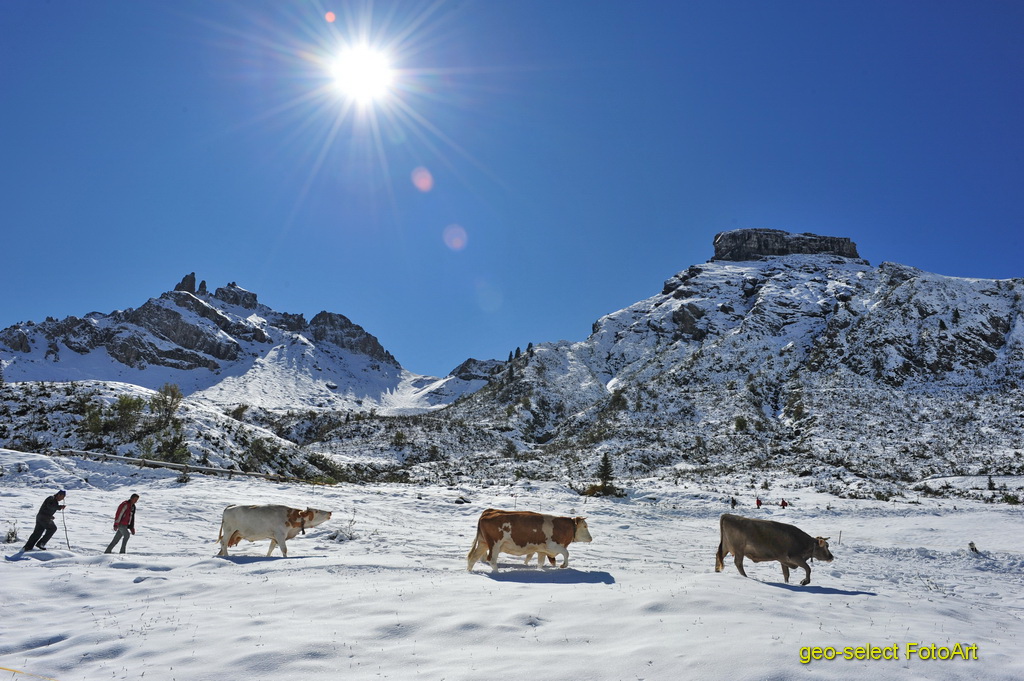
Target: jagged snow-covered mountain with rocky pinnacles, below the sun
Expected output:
[226,350]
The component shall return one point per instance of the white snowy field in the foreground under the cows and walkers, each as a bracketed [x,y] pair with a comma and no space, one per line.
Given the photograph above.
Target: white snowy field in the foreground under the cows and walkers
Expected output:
[643,602]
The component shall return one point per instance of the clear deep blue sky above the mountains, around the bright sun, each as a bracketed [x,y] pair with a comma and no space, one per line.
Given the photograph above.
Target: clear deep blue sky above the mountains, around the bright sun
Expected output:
[581,153]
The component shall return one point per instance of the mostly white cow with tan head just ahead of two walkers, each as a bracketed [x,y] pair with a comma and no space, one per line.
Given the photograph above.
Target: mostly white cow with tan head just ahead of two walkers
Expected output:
[272,522]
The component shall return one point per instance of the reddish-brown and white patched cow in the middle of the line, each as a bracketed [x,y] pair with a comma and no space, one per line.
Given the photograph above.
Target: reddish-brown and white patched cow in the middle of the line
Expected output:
[524,534]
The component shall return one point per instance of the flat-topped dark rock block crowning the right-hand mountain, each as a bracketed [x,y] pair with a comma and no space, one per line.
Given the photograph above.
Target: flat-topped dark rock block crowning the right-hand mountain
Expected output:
[746,245]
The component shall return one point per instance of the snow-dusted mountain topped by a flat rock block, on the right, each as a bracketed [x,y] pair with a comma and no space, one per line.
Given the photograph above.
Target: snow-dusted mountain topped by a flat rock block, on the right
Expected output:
[807,359]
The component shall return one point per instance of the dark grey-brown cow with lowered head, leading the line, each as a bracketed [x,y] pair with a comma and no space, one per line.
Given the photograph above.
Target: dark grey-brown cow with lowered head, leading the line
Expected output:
[767,540]
